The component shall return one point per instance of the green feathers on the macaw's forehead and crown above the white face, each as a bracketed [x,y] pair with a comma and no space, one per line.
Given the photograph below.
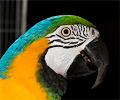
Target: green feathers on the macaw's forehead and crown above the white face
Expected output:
[67,20]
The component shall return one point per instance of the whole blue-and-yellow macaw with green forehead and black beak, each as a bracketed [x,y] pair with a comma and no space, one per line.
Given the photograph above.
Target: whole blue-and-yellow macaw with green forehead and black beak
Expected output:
[39,63]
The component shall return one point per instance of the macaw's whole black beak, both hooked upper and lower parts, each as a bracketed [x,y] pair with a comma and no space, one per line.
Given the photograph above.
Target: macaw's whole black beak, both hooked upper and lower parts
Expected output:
[93,58]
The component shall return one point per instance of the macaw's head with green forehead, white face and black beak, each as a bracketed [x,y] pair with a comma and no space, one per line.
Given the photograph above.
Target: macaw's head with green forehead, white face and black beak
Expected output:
[75,47]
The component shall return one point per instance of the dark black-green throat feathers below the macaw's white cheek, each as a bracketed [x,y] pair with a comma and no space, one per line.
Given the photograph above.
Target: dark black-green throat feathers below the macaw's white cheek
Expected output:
[55,84]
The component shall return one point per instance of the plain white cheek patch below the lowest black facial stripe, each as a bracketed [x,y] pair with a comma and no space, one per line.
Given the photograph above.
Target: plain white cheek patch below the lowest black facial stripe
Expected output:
[59,59]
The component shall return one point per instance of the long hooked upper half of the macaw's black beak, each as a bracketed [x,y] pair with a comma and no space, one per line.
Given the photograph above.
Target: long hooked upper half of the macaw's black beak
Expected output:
[98,54]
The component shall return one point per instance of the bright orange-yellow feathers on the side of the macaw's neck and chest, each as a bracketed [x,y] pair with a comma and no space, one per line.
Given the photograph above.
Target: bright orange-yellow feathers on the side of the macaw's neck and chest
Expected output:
[22,82]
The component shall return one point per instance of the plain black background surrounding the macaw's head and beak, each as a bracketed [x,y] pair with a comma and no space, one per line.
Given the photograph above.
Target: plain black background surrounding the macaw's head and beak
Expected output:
[105,15]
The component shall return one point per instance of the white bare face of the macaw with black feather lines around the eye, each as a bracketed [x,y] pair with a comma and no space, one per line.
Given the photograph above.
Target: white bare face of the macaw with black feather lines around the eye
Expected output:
[64,48]
